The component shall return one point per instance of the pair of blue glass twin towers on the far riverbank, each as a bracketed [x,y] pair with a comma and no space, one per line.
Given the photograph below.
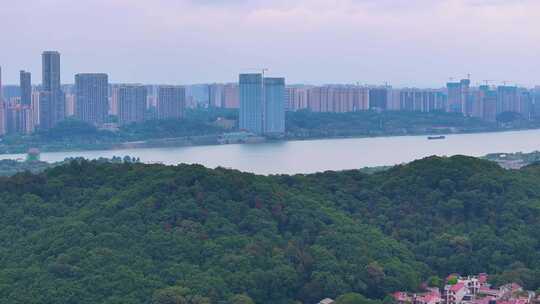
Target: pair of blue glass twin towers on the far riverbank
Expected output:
[262,104]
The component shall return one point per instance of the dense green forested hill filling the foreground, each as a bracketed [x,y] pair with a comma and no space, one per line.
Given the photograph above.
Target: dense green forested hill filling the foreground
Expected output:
[89,232]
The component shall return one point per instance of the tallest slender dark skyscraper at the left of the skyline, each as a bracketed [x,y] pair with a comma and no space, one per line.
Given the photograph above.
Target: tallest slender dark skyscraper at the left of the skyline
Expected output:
[52,107]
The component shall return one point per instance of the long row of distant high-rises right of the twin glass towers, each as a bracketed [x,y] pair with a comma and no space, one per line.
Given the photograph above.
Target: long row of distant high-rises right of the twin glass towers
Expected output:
[484,102]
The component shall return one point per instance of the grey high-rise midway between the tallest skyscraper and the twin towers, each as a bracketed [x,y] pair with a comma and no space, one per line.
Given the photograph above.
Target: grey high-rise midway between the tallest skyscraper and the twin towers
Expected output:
[131,103]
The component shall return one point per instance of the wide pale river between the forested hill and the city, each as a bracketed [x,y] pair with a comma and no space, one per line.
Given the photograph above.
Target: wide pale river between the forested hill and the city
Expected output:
[292,157]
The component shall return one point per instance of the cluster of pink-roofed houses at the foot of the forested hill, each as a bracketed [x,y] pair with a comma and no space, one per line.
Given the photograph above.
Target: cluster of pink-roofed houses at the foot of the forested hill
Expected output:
[468,290]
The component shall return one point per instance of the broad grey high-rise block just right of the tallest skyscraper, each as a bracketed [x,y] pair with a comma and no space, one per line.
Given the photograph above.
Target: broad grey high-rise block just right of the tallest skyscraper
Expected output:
[92,98]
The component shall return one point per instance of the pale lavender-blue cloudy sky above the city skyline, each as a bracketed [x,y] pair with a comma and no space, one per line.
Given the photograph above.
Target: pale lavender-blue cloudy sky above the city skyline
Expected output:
[420,43]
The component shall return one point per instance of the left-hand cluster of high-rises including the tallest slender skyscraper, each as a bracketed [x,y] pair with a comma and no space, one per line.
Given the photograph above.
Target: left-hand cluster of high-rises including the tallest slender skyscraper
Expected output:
[92,99]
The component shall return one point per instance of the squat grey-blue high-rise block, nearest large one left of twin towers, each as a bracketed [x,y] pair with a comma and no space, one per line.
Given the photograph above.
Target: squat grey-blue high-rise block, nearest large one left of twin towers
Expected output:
[171,102]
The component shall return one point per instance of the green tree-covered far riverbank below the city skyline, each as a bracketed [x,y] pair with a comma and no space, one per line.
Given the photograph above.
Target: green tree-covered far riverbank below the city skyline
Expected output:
[215,126]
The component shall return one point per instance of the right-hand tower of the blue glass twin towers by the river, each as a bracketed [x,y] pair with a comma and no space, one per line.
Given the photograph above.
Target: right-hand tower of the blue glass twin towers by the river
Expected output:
[274,101]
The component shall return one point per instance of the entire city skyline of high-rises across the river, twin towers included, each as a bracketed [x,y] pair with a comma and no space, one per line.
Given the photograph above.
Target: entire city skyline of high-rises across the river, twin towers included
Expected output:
[262,101]
